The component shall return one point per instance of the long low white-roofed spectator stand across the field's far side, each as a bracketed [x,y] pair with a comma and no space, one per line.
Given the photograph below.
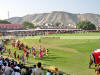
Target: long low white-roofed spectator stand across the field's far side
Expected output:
[32,32]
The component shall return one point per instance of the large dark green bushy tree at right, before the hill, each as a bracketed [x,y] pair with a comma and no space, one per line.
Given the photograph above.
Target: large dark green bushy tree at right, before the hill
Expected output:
[86,25]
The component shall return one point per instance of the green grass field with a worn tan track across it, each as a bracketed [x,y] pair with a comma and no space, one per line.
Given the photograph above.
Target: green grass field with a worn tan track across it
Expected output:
[69,55]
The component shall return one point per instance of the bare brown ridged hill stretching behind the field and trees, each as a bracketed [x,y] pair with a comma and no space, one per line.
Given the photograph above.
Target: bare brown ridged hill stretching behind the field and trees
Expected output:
[56,16]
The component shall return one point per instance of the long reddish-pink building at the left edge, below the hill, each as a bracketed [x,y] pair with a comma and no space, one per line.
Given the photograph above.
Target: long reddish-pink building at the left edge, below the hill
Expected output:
[10,26]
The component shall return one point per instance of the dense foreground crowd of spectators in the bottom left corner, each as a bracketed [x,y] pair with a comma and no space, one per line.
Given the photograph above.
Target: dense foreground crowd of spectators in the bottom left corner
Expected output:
[11,67]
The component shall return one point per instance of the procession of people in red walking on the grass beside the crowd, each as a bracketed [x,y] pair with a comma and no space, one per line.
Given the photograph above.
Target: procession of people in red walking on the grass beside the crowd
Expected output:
[26,52]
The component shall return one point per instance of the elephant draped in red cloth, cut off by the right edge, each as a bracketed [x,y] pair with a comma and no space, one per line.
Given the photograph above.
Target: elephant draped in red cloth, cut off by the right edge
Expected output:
[95,57]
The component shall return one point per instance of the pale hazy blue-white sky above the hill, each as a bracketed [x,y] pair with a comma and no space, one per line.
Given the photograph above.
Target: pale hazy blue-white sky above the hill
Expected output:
[19,8]
